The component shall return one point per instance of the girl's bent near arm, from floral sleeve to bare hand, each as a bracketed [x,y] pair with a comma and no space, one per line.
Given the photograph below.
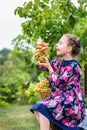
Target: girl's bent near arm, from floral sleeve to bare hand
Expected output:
[64,77]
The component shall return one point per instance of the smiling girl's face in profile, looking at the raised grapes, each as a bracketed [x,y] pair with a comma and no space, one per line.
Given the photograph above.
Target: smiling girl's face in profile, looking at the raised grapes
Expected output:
[62,46]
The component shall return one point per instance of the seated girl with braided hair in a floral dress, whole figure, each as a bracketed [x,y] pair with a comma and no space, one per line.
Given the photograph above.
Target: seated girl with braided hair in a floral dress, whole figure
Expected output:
[66,107]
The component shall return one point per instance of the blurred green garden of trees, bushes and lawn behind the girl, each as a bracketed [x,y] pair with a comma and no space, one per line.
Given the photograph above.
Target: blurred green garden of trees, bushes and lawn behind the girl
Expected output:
[49,19]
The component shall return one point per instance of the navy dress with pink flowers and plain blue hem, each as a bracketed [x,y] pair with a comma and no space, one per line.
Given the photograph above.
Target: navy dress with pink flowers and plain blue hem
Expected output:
[66,106]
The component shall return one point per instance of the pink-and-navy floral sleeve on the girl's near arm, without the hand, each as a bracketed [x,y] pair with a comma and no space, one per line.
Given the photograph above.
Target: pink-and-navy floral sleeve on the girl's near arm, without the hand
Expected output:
[71,74]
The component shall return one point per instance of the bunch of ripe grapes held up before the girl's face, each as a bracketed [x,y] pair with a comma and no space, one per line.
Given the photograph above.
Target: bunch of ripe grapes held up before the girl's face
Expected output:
[41,51]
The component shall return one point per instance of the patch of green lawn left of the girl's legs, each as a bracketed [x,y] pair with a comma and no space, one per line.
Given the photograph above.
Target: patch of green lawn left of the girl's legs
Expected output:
[17,117]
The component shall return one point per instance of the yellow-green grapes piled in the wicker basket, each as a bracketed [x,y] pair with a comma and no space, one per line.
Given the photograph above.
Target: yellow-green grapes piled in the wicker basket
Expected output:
[43,86]
